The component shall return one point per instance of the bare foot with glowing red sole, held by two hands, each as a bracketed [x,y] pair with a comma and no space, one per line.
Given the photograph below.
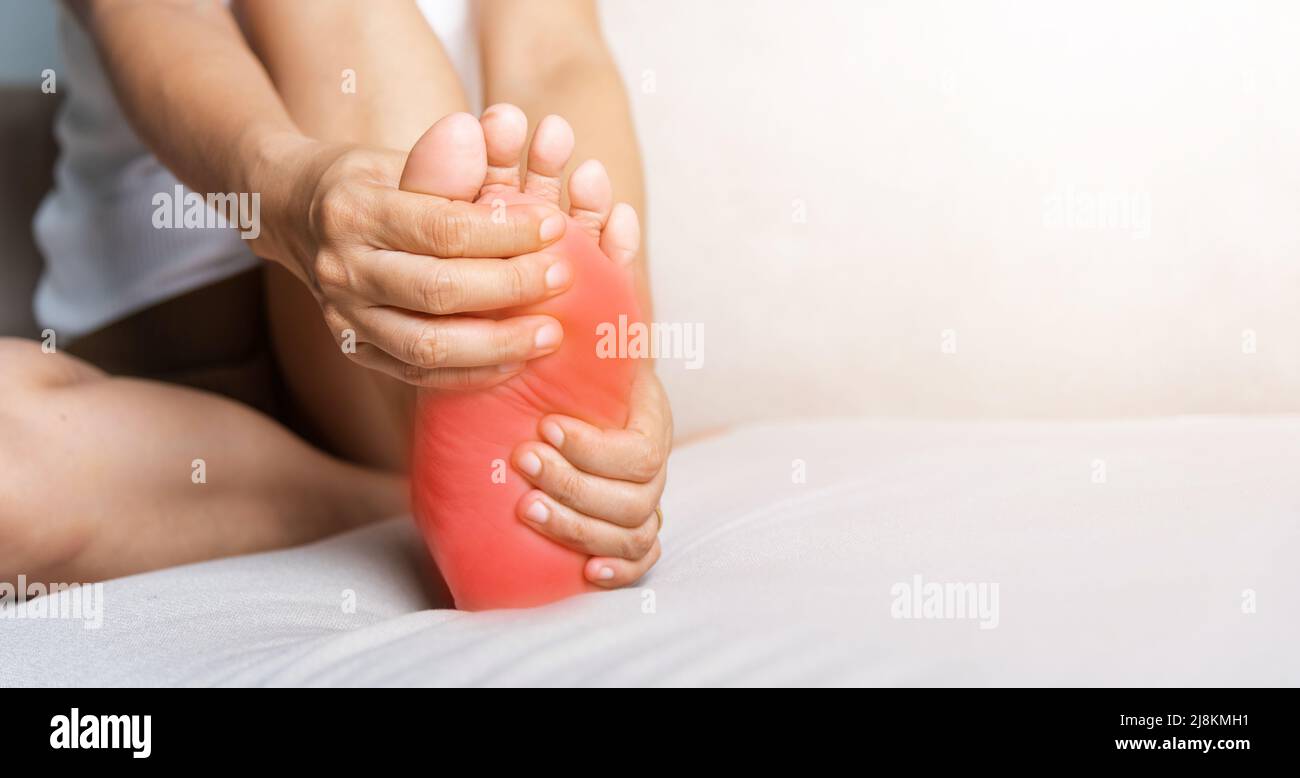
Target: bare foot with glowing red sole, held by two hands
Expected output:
[470,520]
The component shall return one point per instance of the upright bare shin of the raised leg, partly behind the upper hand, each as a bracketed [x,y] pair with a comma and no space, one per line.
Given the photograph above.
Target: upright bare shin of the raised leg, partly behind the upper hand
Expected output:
[404,84]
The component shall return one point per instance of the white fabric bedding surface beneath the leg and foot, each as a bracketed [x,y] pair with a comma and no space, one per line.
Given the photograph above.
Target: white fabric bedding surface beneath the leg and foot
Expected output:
[1136,581]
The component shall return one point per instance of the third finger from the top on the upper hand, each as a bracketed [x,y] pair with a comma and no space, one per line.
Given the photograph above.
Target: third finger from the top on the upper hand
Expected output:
[434,343]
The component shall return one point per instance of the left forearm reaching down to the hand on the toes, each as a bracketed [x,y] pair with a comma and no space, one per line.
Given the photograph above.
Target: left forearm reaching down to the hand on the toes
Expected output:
[198,98]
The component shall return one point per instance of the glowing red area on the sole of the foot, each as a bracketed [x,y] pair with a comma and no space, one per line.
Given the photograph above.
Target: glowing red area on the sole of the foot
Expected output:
[467,492]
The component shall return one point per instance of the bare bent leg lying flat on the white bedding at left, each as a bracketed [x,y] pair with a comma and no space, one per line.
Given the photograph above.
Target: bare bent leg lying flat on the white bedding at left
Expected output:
[99,474]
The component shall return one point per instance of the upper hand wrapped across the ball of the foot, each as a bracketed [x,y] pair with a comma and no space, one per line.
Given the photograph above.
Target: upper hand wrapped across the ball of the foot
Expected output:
[389,273]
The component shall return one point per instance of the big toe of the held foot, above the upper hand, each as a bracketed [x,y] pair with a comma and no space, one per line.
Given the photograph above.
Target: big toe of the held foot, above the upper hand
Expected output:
[450,161]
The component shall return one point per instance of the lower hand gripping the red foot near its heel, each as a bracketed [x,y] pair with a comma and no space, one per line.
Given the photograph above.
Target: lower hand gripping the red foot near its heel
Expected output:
[599,489]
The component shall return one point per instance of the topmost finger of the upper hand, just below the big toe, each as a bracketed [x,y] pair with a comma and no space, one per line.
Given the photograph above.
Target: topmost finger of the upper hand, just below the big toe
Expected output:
[422,224]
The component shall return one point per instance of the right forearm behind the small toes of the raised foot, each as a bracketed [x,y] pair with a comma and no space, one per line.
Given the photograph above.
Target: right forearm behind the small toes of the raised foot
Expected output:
[556,60]
